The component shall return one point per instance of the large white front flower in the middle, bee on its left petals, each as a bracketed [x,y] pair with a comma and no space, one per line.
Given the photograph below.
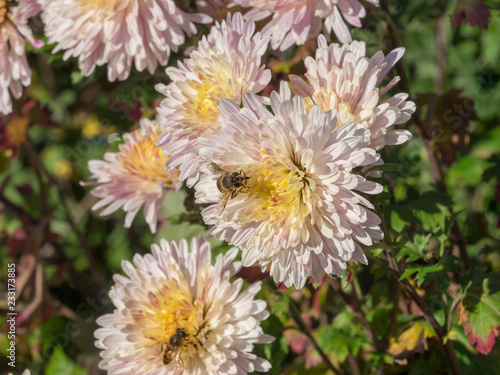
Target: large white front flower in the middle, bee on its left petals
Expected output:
[301,213]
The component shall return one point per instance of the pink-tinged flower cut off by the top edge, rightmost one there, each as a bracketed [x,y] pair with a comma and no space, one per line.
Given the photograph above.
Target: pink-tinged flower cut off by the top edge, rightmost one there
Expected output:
[296,21]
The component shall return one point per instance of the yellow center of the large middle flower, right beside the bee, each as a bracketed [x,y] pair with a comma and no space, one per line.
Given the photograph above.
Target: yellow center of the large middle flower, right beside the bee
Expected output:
[280,191]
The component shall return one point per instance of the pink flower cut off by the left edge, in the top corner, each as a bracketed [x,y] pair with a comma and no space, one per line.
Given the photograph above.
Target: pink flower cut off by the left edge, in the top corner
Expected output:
[14,32]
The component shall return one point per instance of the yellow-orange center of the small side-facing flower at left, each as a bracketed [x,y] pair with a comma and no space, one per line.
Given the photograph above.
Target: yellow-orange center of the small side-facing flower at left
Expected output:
[143,157]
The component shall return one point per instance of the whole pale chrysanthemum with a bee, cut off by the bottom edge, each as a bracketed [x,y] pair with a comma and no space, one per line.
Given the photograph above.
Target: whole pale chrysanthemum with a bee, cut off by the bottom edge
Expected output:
[176,290]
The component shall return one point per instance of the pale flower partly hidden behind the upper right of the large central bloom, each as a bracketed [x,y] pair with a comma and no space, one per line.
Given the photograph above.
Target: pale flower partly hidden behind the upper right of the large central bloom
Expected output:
[343,78]
